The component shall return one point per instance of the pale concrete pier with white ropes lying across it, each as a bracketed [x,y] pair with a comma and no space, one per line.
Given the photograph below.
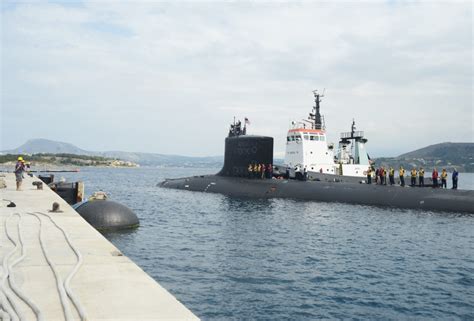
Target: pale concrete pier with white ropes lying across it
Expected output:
[75,275]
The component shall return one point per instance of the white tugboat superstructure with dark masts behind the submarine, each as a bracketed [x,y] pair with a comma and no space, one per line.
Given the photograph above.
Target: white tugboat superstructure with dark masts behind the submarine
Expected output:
[307,148]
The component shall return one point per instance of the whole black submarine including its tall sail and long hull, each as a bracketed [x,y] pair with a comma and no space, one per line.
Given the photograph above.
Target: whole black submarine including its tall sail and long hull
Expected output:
[234,180]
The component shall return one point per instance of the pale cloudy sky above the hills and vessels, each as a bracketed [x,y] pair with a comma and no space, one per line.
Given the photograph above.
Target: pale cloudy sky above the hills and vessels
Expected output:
[169,77]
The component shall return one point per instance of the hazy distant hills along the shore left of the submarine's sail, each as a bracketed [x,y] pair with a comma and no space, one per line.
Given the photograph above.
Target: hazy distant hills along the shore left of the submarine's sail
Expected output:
[36,146]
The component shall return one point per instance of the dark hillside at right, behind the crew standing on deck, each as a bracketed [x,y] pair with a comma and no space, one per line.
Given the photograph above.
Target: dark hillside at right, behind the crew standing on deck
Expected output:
[444,155]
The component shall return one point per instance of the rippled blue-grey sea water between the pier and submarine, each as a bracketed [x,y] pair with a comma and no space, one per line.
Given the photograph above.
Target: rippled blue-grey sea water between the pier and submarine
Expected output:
[239,259]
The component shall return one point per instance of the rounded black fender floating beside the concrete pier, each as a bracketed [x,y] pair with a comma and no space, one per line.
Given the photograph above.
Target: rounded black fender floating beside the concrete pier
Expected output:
[107,215]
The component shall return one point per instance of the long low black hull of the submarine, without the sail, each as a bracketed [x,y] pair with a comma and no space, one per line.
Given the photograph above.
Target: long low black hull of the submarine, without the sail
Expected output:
[364,194]
